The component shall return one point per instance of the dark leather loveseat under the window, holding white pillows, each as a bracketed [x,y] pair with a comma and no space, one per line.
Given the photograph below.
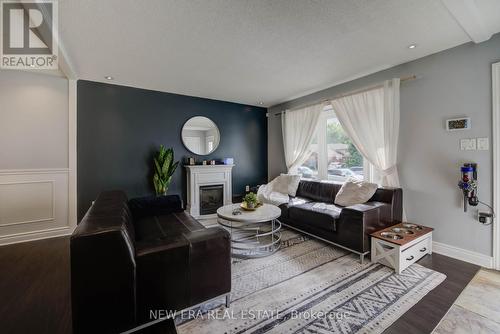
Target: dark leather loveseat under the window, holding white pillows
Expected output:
[313,211]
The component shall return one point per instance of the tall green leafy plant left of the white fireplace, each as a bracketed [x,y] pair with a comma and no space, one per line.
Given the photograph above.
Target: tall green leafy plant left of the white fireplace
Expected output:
[164,167]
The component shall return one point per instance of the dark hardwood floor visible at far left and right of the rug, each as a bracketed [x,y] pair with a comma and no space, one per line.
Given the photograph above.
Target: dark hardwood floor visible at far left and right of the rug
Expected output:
[35,290]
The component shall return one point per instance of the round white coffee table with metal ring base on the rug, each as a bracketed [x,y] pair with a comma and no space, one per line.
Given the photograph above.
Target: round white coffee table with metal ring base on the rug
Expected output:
[253,233]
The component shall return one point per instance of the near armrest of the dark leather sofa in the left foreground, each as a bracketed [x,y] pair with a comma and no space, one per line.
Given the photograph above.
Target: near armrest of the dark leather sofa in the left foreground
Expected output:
[178,272]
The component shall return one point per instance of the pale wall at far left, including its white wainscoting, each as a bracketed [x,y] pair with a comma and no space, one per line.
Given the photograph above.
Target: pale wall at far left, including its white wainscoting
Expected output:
[33,156]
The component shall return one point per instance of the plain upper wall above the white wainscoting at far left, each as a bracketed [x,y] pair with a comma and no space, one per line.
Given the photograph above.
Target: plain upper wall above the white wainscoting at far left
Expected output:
[33,121]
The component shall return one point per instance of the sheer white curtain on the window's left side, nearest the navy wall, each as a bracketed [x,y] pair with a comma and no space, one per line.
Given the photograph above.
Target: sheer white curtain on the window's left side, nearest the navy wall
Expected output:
[298,127]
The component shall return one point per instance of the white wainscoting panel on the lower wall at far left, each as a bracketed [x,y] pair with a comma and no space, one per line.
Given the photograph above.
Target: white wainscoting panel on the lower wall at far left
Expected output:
[33,204]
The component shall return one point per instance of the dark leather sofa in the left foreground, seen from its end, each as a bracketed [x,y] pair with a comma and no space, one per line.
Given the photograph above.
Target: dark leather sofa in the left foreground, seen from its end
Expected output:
[129,259]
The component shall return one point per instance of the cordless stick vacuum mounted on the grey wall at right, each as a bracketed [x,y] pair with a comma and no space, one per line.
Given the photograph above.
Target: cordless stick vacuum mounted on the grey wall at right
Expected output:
[468,185]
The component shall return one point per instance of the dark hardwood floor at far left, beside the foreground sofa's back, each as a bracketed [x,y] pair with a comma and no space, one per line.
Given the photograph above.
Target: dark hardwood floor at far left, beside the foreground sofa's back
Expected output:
[35,287]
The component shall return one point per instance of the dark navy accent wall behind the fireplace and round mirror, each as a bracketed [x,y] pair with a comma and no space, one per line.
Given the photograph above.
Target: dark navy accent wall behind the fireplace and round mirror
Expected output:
[119,128]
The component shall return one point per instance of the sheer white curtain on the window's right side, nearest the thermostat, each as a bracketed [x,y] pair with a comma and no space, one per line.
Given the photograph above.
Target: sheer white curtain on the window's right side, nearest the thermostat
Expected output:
[371,119]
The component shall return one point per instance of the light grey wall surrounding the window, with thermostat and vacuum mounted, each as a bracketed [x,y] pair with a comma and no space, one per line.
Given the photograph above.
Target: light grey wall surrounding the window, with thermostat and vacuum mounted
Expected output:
[455,82]
